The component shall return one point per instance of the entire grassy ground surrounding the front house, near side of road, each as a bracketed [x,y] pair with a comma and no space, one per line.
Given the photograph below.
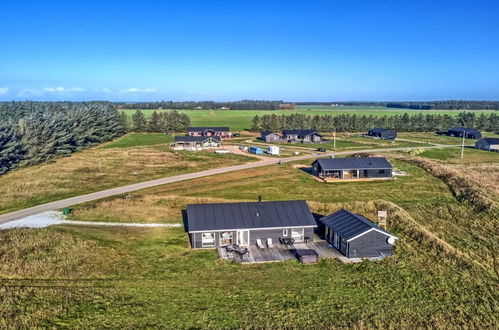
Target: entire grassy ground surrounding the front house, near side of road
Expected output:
[441,274]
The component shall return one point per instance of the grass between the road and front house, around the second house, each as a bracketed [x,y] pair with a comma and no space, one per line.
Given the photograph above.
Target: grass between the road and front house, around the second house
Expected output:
[165,203]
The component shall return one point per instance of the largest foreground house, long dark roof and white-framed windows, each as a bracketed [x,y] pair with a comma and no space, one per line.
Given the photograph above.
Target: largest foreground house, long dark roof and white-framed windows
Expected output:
[224,224]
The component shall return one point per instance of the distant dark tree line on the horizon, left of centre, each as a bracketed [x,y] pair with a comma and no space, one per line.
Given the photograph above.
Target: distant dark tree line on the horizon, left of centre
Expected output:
[205,105]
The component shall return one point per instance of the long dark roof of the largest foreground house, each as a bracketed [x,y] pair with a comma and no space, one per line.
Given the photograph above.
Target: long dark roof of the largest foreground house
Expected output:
[230,216]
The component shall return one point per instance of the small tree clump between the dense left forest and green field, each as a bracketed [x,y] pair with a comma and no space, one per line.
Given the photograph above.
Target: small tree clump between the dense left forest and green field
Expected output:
[163,122]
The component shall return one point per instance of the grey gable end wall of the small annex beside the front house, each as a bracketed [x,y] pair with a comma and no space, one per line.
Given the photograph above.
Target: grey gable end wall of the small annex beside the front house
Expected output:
[369,245]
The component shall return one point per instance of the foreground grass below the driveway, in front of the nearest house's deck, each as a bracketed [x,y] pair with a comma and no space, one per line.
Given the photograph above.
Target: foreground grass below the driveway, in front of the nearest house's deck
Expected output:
[98,277]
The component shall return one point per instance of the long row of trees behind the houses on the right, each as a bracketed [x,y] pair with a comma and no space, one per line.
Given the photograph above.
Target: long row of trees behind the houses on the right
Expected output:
[354,123]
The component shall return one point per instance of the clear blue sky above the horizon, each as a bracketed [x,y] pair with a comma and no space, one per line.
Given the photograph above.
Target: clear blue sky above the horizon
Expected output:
[231,50]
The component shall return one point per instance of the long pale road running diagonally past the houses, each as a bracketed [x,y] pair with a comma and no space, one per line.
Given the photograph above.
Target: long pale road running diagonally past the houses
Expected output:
[147,184]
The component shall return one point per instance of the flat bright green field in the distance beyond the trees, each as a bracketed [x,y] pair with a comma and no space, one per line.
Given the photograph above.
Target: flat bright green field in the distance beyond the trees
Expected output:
[239,120]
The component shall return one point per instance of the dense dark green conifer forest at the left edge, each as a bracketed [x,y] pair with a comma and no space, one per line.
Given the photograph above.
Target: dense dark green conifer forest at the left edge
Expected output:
[34,132]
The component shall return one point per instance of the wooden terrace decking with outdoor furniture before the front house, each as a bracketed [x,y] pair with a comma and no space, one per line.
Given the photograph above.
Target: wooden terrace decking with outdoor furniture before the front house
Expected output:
[280,252]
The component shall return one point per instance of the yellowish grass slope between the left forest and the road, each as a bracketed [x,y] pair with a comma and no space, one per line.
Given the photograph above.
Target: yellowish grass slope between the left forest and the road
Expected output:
[100,168]
